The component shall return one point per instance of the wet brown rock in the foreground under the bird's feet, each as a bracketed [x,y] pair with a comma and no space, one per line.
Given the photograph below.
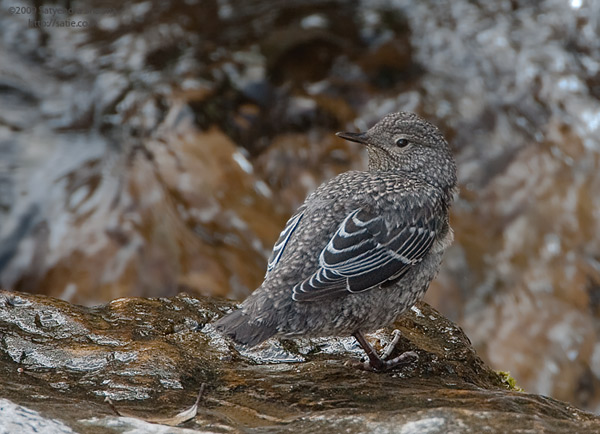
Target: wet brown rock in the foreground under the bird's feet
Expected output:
[150,356]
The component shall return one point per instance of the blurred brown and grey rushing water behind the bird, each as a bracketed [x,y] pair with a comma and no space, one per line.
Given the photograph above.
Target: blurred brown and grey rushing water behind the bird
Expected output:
[159,147]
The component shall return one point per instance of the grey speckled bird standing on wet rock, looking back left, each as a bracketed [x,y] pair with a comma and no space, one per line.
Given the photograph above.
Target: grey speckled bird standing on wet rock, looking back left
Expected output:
[364,246]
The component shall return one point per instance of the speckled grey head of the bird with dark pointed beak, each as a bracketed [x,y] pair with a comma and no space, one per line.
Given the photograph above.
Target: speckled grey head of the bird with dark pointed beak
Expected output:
[404,141]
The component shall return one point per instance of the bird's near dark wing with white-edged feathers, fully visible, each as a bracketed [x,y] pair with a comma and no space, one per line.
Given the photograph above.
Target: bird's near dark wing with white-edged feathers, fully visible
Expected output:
[369,249]
